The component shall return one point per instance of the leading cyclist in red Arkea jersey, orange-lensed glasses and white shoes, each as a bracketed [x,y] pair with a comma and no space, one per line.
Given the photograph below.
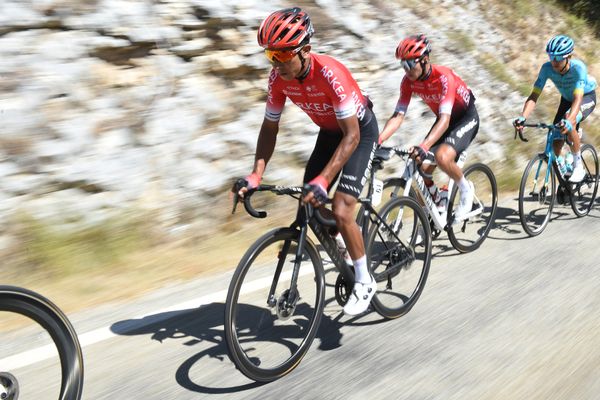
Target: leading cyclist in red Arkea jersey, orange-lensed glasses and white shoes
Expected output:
[325,90]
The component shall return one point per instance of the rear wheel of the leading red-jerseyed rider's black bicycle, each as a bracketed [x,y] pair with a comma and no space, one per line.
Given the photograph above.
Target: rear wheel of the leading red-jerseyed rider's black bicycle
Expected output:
[399,255]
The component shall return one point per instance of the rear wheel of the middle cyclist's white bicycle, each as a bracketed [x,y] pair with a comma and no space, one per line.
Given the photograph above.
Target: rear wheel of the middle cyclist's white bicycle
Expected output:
[486,193]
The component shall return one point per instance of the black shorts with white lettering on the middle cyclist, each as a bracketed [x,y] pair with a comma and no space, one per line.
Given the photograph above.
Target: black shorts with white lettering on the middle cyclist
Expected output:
[461,130]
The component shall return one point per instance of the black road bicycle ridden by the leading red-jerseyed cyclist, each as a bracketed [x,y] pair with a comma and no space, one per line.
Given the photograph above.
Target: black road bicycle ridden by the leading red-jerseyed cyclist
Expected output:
[276,296]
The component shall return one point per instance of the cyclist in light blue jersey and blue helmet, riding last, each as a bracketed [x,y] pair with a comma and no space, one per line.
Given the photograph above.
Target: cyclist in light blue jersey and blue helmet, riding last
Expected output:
[578,96]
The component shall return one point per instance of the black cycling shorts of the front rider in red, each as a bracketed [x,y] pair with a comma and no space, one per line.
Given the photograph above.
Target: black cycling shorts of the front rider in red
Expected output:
[356,171]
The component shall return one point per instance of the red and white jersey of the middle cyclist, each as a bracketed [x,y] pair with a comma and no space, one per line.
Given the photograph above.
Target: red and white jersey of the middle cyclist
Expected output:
[443,91]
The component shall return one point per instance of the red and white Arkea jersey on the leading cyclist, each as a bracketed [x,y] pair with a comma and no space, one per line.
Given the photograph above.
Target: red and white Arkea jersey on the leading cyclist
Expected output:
[328,93]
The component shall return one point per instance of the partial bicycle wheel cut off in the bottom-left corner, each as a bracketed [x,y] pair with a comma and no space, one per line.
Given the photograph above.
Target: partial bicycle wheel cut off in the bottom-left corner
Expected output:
[29,320]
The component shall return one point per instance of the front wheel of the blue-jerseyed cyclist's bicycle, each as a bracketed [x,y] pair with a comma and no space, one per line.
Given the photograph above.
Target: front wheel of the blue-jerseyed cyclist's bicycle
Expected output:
[536,195]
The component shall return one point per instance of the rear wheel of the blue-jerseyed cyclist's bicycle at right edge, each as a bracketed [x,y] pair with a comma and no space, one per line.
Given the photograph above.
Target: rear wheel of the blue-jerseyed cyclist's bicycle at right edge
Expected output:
[584,193]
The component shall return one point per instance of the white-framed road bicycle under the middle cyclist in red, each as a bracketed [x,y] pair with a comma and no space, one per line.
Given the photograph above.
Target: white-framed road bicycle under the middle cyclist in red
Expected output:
[465,235]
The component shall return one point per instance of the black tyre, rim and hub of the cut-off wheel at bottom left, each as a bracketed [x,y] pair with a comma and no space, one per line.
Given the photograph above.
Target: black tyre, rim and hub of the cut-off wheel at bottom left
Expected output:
[46,314]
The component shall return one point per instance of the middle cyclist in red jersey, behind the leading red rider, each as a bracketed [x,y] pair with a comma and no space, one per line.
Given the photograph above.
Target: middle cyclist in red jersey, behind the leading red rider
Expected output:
[453,103]
